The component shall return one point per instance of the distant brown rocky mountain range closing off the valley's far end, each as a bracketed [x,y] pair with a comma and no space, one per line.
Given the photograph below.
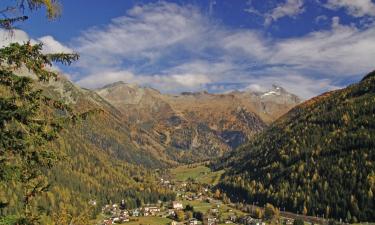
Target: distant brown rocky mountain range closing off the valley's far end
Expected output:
[197,126]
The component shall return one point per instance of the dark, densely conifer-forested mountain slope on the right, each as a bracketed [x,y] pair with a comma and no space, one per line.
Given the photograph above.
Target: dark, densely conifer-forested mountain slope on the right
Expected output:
[318,159]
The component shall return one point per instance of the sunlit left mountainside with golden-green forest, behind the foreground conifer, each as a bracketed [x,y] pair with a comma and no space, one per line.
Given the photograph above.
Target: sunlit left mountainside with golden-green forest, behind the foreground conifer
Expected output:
[99,159]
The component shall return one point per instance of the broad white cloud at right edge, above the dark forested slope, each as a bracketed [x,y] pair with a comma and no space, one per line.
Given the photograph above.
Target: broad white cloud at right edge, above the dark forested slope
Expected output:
[341,51]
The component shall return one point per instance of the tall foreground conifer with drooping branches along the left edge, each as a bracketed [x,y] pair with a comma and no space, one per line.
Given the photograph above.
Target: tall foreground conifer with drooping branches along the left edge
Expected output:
[28,121]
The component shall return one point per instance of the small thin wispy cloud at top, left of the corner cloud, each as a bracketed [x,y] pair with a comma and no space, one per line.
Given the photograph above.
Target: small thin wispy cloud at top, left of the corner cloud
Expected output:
[291,8]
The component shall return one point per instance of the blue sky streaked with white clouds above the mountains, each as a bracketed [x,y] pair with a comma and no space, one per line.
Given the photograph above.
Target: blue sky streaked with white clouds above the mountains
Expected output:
[306,46]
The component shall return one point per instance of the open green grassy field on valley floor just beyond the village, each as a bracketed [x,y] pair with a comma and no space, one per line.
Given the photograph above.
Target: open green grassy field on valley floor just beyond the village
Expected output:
[199,173]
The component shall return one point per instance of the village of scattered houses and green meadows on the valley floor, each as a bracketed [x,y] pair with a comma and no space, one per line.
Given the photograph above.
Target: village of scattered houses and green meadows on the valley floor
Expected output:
[197,202]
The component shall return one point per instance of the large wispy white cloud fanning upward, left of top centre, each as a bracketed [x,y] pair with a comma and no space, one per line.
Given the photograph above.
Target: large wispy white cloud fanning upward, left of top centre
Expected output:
[145,33]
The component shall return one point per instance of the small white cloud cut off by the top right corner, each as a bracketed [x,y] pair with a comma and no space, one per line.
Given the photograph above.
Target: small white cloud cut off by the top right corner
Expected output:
[356,8]
